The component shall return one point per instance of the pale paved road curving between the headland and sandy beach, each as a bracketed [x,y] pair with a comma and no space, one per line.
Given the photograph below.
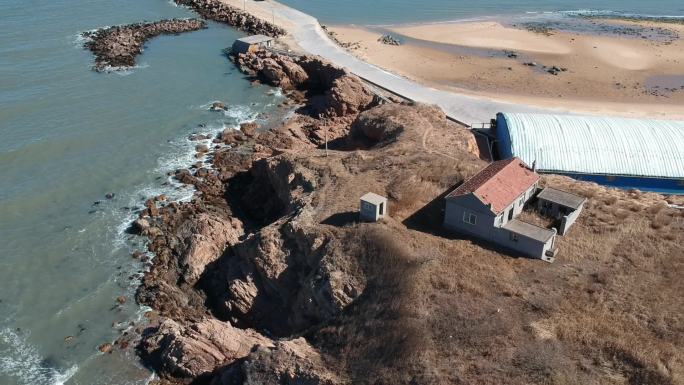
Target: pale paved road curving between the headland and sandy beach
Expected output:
[313,39]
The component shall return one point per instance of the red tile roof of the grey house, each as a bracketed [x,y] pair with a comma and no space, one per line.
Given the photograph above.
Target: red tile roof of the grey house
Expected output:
[499,184]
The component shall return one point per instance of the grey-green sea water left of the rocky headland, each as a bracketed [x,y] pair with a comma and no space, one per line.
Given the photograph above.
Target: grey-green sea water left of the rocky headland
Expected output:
[69,136]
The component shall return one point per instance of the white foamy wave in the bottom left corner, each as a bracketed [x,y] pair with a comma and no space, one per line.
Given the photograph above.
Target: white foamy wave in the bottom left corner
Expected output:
[21,360]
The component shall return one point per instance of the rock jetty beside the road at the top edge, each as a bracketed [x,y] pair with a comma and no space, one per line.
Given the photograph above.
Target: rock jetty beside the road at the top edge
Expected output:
[223,13]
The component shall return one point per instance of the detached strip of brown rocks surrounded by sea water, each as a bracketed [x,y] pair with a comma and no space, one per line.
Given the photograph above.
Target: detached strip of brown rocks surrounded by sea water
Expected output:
[118,46]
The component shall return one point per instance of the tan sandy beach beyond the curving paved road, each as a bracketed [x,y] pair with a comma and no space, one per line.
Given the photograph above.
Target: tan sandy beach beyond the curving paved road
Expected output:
[597,73]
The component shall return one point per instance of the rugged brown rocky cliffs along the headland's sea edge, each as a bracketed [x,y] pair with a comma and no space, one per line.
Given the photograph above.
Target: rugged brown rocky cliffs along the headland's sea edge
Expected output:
[217,286]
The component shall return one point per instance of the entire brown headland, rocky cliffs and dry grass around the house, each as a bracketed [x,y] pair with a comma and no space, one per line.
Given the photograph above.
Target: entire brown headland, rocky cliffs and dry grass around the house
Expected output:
[268,277]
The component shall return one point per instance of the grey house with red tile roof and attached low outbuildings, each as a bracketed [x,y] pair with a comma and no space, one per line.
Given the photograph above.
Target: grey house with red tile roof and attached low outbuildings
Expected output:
[486,206]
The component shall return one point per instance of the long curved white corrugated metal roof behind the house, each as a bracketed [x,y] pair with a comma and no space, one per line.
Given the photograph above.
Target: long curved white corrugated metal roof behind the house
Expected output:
[595,145]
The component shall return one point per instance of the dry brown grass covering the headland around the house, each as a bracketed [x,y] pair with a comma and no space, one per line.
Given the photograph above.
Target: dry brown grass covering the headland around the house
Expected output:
[440,308]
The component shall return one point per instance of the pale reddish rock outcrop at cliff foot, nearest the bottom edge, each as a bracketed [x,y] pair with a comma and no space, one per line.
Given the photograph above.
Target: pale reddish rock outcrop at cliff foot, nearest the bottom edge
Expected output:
[199,348]
